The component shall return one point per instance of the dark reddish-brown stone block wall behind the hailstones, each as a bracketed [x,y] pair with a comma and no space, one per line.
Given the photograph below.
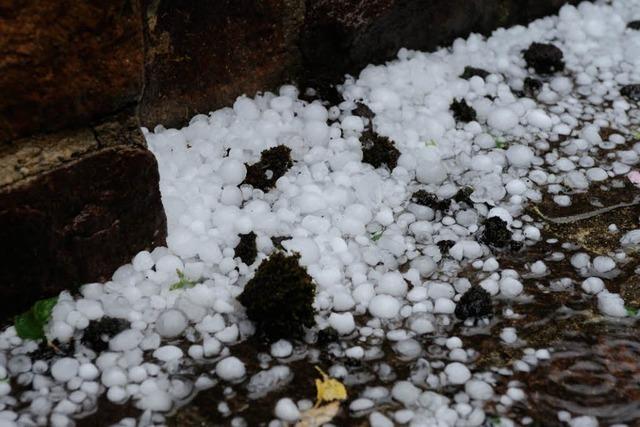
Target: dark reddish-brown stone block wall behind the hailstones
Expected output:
[78,188]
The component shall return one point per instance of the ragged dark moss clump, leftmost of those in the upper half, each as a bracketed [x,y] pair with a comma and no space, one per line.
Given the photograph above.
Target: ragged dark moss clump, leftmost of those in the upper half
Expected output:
[273,163]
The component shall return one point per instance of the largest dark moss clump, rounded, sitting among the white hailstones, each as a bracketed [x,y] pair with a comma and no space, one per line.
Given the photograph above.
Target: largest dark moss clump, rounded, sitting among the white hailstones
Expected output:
[279,298]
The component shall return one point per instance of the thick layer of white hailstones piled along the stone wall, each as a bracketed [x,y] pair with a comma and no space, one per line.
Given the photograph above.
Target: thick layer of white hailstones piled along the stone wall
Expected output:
[528,106]
